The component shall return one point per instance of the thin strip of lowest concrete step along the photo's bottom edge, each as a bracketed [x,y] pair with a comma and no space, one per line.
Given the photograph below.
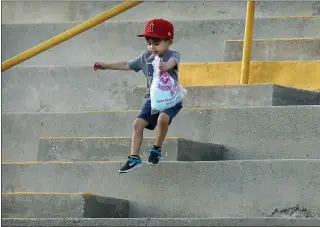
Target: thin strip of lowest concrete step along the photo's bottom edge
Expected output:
[167,222]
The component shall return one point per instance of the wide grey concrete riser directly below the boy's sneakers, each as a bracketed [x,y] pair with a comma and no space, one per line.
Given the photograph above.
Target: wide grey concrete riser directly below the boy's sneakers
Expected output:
[252,188]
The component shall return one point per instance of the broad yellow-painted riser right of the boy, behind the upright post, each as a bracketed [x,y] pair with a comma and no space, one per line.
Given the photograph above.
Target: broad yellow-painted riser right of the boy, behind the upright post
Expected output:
[296,74]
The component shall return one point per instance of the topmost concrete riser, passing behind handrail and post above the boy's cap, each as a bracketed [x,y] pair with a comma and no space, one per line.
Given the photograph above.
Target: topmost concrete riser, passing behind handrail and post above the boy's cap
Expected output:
[58,11]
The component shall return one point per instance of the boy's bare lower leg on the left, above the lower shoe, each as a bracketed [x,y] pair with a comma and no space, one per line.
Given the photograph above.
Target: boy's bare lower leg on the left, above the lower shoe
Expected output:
[137,137]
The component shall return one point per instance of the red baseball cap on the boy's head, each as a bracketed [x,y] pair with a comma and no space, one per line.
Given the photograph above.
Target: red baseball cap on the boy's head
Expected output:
[158,28]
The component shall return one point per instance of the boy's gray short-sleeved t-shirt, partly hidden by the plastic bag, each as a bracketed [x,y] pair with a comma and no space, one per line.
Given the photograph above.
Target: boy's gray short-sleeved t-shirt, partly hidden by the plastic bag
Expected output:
[144,62]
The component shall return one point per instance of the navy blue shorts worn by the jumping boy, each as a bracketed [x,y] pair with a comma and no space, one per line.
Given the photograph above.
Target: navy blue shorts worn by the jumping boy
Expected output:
[153,119]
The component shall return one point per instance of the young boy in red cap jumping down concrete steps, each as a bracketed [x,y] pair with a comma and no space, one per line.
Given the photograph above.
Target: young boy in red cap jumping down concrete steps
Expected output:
[159,36]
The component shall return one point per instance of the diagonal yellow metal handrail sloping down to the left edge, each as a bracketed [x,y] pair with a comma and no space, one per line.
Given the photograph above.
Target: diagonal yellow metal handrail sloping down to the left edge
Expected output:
[68,34]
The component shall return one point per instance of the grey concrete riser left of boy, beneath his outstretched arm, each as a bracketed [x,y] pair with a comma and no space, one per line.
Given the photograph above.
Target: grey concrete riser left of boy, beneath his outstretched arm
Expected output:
[71,89]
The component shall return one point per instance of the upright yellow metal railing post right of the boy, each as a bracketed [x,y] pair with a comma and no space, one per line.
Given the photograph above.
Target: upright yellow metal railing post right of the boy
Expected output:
[247,44]
